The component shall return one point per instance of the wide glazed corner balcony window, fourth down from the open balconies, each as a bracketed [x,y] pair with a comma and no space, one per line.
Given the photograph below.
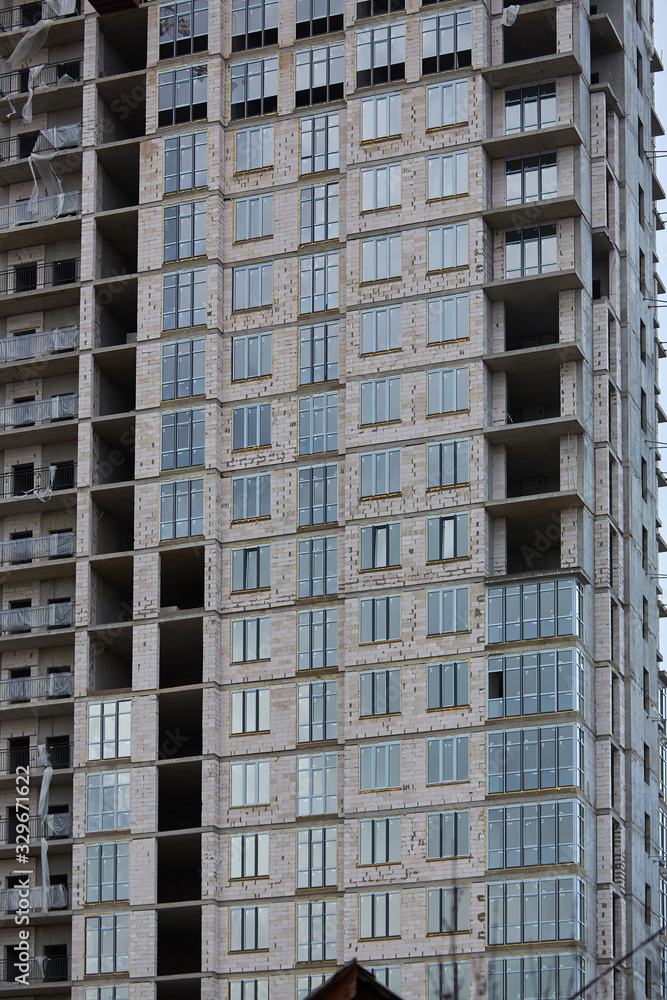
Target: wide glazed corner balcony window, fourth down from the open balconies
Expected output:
[543,833]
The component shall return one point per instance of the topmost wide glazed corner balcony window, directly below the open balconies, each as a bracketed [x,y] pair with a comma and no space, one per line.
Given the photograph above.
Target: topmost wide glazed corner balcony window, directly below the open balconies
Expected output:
[534,610]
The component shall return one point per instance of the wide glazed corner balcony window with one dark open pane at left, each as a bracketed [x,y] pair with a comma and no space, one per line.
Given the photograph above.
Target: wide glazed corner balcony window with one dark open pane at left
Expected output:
[545,681]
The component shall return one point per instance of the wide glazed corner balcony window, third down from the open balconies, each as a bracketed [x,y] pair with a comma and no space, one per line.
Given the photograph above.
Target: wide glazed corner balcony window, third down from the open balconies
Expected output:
[522,760]
